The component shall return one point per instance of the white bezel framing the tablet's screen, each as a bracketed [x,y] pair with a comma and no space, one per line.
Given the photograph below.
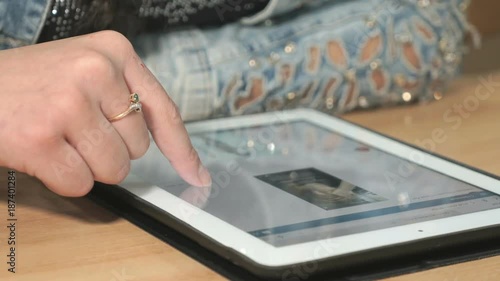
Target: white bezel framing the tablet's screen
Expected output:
[267,255]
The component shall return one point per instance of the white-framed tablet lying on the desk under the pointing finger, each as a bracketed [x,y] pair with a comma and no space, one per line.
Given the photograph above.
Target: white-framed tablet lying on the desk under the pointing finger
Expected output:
[302,187]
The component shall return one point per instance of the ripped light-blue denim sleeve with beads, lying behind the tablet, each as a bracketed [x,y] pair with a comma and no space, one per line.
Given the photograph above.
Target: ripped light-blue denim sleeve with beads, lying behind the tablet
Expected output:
[337,57]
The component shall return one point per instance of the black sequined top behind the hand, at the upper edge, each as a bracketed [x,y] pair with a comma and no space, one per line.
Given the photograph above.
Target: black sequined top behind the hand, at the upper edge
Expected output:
[68,18]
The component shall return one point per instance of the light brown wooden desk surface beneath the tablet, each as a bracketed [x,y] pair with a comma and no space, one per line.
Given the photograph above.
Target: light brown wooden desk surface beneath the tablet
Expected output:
[73,239]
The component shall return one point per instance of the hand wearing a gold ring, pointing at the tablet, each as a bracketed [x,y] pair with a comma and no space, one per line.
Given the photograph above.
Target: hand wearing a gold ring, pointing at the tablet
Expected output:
[56,99]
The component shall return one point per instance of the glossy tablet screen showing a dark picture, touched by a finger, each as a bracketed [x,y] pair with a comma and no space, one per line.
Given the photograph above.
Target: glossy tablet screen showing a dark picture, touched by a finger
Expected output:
[297,182]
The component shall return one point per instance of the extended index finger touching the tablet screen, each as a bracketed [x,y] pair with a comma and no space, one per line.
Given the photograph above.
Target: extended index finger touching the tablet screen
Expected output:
[165,124]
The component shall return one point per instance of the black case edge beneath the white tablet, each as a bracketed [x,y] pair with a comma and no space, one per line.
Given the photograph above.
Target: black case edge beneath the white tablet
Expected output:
[459,248]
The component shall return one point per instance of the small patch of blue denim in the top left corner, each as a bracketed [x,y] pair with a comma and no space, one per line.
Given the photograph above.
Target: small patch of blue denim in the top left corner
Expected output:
[21,22]
